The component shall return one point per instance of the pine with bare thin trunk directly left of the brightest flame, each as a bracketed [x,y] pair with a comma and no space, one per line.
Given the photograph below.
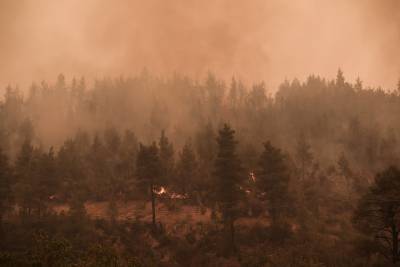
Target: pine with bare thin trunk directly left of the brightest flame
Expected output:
[148,171]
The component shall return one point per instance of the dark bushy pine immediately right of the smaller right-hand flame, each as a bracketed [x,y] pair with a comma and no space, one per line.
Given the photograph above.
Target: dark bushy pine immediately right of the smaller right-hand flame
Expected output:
[273,179]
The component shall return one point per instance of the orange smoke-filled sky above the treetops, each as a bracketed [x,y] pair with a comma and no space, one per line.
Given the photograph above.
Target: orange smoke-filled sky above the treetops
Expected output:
[254,40]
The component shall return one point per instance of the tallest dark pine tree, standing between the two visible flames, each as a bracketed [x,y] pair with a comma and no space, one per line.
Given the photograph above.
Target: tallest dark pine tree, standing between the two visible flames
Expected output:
[228,178]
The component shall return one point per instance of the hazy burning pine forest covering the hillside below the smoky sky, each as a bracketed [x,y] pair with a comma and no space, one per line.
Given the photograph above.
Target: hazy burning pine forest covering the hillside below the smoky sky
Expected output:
[174,171]
